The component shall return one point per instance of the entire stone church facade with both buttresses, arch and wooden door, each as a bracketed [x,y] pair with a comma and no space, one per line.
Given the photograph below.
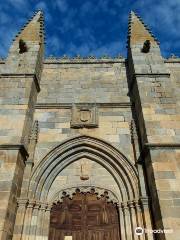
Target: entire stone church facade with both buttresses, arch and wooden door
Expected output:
[92,132]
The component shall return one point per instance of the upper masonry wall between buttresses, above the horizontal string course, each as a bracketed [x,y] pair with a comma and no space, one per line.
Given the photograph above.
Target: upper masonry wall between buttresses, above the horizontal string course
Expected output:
[75,83]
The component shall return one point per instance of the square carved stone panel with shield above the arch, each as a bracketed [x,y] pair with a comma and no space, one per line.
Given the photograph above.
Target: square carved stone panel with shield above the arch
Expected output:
[84,115]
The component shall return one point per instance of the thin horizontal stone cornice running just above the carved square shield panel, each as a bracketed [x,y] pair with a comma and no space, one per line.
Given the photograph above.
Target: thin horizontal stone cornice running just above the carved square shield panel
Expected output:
[70,105]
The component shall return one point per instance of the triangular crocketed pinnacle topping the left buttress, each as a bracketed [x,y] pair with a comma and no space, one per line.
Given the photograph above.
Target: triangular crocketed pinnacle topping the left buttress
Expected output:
[33,30]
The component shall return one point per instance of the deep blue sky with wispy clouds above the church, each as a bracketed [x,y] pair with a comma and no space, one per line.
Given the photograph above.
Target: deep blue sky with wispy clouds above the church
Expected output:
[92,27]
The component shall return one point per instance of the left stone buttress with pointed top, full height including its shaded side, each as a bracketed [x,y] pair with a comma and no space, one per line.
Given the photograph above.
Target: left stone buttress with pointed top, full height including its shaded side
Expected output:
[19,83]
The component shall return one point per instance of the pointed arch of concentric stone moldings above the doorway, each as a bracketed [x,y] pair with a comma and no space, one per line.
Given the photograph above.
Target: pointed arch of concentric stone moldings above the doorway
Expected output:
[122,170]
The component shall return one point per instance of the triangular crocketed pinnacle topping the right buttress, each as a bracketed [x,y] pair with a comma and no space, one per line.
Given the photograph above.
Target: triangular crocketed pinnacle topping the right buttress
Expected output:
[138,31]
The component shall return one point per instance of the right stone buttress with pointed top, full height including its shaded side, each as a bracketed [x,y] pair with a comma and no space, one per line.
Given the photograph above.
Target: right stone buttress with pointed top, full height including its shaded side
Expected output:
[151,89]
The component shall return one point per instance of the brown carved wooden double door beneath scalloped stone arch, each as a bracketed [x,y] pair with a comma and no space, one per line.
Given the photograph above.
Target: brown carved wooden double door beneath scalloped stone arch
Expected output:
[84,217]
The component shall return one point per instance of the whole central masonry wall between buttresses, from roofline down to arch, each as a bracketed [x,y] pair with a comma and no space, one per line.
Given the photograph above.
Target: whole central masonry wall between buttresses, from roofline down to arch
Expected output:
[83,83]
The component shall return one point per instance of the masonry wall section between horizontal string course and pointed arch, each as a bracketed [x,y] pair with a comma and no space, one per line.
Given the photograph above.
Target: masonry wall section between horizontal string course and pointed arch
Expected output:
[54,127]
